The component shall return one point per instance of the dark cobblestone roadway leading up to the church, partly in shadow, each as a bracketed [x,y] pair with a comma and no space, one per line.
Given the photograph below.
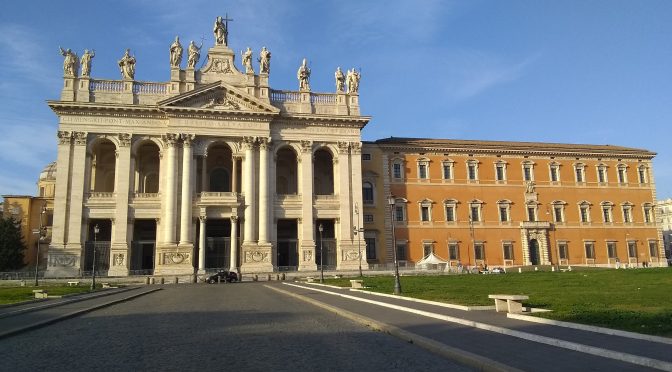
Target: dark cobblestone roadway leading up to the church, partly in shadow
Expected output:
[242,326]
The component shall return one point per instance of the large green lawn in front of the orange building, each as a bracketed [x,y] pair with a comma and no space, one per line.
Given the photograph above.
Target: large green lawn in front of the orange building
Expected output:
[631,300]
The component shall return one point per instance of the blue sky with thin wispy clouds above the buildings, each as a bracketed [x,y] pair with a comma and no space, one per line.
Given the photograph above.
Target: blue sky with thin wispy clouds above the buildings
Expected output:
[595,72]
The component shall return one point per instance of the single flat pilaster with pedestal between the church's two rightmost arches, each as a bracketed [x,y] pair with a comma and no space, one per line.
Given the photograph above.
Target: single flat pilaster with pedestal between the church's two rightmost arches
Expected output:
[307,245]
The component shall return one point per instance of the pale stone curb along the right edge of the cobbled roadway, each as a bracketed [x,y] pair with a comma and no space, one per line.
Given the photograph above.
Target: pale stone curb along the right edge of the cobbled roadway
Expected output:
[448,352]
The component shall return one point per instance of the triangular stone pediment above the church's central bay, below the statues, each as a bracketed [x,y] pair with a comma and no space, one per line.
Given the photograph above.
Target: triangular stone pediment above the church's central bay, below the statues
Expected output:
[219,96]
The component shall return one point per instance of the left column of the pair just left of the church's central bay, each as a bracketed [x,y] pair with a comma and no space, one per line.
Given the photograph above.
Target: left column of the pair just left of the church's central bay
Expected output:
[168,220]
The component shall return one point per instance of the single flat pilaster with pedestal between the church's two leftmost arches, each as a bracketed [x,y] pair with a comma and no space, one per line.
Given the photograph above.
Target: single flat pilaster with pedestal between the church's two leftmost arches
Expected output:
[119,253]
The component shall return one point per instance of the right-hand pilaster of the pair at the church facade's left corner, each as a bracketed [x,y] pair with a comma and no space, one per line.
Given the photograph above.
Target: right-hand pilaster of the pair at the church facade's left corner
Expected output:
[77,178]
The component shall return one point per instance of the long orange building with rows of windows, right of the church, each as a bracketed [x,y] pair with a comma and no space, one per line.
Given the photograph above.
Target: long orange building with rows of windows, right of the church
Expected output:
[510,203]
